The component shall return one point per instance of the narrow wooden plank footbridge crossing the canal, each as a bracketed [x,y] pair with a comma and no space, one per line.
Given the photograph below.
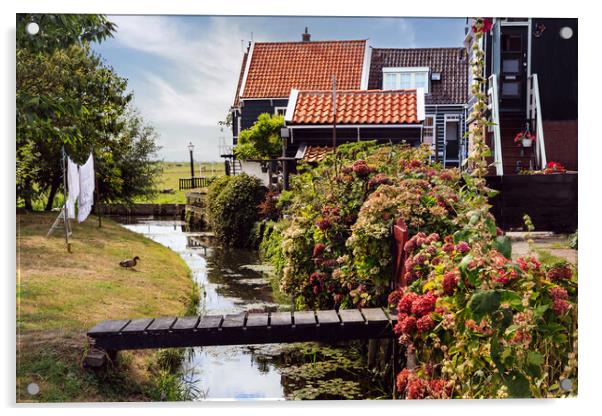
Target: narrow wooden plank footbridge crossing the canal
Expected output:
[109,337]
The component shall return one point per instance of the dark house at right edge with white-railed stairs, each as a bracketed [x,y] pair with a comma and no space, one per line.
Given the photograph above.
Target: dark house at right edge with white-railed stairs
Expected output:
[531,66]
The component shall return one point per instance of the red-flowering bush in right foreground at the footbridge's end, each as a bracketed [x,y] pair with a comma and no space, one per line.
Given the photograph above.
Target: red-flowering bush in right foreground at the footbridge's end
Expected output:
[481,325]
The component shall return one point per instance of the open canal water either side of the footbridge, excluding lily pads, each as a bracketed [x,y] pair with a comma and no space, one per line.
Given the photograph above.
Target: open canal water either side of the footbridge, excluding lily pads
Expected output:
[231,281]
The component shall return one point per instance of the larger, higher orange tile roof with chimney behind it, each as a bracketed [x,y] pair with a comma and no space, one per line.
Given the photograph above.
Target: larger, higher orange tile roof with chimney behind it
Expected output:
[277,67]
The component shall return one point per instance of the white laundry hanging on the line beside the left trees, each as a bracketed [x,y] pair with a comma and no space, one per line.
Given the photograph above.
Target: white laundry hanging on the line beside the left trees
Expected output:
[80,181]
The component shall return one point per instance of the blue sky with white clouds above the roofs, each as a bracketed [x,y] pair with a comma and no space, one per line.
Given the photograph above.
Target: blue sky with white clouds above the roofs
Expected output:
[183,70]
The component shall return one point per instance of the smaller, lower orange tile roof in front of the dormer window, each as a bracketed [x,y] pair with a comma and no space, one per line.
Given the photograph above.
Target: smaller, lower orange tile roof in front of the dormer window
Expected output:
[358,107]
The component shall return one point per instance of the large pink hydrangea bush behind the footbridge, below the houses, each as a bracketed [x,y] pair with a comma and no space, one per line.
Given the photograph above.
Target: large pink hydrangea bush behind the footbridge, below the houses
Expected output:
[336,243]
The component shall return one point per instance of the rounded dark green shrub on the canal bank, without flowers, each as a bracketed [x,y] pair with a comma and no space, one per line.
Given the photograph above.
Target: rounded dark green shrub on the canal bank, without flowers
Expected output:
[232,207]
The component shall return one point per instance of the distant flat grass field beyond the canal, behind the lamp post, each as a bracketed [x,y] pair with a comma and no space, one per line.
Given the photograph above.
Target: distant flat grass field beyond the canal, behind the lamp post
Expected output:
[173,171]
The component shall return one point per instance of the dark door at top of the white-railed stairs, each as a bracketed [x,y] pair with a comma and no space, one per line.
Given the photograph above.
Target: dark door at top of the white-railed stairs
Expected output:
[513,68]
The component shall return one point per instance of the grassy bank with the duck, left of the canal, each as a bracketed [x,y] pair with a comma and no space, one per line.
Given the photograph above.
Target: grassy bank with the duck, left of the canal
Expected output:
[60,295]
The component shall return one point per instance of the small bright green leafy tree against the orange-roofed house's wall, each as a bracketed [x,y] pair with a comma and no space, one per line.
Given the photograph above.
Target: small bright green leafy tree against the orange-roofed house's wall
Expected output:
[262,140]
